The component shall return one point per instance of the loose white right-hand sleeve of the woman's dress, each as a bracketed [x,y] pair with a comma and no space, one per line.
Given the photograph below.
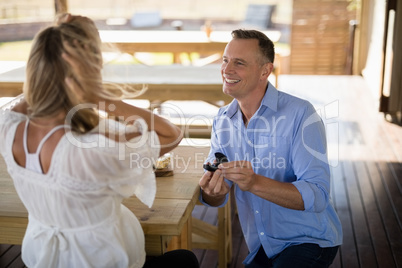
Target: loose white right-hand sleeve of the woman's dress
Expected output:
[125,168]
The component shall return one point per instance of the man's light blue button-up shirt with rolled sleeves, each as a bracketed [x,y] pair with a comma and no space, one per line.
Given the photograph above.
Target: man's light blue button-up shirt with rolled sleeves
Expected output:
[285,141]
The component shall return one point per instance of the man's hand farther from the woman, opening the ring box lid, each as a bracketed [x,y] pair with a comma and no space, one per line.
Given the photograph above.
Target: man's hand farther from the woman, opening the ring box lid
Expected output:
[239,172]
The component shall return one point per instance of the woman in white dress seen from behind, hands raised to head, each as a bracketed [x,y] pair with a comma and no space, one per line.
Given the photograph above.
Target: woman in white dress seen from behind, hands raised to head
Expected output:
[70,166]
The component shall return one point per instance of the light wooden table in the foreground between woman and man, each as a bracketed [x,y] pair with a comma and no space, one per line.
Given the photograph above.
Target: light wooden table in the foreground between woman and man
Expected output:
[167,225]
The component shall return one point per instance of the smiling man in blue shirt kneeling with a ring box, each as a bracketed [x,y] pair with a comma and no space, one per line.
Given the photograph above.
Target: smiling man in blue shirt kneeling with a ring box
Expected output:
[276,147]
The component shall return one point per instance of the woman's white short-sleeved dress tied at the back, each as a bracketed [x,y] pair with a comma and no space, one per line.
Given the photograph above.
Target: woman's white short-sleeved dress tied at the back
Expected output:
[76,218]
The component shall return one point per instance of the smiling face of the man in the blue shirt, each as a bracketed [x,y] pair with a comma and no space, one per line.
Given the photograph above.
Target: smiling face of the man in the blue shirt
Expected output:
[241,68]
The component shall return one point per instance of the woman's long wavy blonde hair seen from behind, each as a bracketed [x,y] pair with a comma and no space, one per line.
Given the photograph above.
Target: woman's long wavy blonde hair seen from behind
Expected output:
[45,88]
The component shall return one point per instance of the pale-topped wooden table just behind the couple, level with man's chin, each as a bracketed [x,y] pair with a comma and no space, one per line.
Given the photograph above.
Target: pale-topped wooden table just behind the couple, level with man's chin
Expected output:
[165,82]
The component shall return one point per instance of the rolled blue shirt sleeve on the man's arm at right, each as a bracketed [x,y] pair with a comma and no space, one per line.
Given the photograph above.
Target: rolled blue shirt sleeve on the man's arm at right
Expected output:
[310,161]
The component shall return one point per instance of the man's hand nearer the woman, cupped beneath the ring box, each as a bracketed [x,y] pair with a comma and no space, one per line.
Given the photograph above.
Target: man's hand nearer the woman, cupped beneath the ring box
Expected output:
[214,188]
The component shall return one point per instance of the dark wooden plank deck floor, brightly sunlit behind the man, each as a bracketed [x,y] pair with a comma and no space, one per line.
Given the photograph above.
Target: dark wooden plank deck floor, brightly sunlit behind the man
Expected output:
[366,158]
